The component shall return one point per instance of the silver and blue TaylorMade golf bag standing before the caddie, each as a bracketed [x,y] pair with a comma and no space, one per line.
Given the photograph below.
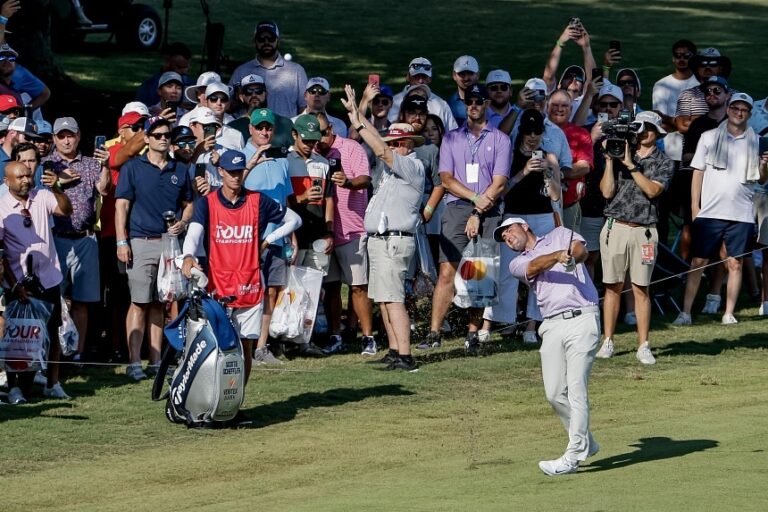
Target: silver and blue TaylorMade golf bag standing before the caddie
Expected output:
[208,384]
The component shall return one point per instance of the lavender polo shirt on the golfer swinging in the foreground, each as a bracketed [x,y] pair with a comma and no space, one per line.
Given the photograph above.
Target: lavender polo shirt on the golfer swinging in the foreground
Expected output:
[556,289]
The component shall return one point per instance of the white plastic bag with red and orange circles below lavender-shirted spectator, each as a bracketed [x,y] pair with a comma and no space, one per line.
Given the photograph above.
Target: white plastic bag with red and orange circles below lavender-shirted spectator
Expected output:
[476,275]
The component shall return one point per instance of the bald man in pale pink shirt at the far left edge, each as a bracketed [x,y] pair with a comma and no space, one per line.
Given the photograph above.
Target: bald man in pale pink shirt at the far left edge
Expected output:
[25,231]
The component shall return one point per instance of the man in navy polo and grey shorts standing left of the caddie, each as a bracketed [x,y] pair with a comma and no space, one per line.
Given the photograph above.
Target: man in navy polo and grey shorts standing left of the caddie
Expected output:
[149,185]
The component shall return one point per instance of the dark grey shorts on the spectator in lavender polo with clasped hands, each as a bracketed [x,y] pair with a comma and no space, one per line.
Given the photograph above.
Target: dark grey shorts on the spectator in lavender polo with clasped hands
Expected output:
[453,240]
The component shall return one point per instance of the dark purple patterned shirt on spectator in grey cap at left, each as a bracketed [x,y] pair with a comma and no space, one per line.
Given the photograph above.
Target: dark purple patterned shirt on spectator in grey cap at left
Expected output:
[82,193]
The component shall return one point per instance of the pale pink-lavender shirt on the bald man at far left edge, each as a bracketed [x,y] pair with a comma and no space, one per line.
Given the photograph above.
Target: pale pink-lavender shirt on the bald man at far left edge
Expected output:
[36,239]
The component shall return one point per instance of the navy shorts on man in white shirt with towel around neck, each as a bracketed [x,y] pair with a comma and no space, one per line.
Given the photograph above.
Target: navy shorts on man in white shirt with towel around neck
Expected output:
[707,235]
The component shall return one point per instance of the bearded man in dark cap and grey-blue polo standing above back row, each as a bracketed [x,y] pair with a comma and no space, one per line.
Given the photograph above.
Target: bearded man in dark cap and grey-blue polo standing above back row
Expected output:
[284,79]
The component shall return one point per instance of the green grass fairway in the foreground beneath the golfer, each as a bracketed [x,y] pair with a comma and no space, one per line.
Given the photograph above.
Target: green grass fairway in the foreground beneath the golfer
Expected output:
[462,434]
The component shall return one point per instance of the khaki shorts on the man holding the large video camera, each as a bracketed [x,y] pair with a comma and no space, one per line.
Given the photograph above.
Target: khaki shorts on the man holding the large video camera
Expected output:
[621,251]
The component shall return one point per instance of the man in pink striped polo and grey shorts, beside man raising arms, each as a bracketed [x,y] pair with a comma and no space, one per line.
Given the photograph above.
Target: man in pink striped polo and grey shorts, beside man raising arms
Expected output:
[349,172]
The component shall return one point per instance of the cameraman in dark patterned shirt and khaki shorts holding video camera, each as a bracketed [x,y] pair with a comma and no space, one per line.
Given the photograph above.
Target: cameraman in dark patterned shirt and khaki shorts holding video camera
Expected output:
[633,180]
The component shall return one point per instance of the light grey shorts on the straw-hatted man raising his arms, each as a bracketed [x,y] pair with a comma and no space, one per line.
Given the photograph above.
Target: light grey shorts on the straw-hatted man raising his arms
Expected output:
[389,258]
